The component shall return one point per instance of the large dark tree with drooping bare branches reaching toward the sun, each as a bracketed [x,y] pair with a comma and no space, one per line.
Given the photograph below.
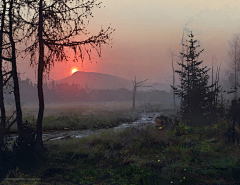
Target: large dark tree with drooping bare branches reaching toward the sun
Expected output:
[53,29]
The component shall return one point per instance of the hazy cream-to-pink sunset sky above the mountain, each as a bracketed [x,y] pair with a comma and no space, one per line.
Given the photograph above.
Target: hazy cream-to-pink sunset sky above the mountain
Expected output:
[145,31]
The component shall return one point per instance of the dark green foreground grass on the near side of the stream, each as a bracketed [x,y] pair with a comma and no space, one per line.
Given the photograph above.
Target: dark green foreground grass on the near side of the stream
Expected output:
[141,156]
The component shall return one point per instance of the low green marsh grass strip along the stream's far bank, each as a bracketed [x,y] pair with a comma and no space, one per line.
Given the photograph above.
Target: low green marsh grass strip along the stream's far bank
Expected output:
[101,119]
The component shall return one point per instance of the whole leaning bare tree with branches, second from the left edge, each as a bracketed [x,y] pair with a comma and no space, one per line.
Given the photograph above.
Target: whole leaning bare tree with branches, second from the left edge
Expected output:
[11,26]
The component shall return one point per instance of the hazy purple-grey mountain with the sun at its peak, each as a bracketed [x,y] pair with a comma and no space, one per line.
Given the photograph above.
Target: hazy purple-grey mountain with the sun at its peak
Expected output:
[94,80]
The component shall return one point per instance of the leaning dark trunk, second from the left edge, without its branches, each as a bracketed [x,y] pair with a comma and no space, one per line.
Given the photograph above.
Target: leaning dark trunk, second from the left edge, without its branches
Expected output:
[15,76]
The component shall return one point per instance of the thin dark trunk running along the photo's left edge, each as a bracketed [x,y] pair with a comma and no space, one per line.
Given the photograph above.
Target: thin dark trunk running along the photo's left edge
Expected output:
[2,106]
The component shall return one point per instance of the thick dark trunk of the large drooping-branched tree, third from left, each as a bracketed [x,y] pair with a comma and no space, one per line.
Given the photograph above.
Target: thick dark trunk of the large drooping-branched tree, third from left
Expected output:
[40,79]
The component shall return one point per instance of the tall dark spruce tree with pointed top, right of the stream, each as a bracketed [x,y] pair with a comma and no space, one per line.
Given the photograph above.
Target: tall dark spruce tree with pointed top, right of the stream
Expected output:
[195,94]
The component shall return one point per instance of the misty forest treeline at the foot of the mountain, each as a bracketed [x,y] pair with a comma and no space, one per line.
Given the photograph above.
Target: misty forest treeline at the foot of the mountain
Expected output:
[64,92]
